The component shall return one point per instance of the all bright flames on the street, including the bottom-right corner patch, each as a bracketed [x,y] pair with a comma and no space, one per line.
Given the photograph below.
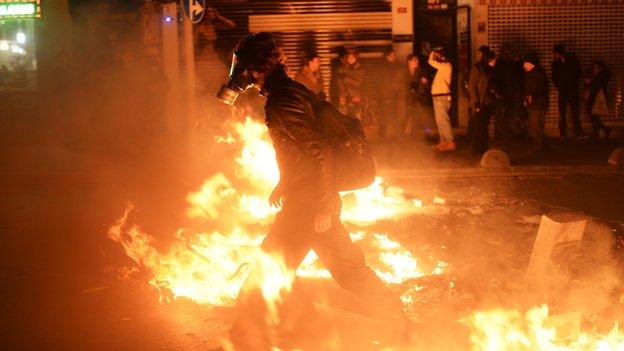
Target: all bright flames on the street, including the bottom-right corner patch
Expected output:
[211,267]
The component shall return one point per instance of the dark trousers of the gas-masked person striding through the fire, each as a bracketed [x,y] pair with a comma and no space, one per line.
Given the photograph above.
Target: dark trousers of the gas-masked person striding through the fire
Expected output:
[292,236]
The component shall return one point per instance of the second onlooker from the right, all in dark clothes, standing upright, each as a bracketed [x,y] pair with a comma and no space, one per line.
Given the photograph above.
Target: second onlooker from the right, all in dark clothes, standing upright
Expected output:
[566,74]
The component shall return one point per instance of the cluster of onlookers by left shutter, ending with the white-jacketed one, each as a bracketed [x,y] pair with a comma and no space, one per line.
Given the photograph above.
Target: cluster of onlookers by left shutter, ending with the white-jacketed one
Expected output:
[414,83]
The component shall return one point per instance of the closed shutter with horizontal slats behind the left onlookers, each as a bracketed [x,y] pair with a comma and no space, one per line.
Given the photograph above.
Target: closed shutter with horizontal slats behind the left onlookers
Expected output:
[320,25]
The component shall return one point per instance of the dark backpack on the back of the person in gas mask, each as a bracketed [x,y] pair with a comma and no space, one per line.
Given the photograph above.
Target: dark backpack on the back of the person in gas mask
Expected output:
[354,165]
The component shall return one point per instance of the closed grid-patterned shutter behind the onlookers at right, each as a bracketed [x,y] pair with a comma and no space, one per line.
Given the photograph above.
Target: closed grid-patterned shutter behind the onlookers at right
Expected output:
[593,30]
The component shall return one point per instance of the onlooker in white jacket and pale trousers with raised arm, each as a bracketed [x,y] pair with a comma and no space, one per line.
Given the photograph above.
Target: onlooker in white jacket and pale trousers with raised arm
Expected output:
[441,96]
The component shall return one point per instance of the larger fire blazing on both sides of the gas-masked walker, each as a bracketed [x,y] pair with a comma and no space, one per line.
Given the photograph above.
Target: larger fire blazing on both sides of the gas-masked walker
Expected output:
[211,267]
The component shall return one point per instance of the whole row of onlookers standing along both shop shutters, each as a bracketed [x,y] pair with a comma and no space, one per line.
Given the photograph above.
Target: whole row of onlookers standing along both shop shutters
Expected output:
[505,87]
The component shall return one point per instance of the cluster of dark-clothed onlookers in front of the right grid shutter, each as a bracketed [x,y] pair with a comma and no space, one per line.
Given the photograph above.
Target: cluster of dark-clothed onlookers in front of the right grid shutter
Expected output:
[491,94]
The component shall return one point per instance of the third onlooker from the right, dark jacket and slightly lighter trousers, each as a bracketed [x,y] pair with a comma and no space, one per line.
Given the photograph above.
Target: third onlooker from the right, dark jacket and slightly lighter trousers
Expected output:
[535,98]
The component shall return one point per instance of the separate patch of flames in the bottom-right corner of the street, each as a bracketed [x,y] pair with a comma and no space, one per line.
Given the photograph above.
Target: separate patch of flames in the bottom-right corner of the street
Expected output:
[502,329]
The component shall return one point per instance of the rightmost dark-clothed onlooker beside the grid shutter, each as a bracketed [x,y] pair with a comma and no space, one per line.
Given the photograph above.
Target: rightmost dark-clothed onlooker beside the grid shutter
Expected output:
[597,82]
